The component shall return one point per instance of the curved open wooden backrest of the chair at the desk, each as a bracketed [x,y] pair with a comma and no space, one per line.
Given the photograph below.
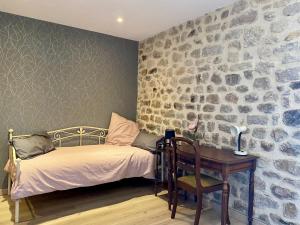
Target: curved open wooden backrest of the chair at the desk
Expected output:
[186,156]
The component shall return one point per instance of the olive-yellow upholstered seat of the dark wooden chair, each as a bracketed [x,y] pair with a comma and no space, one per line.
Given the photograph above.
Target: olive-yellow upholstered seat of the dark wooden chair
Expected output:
[206,181]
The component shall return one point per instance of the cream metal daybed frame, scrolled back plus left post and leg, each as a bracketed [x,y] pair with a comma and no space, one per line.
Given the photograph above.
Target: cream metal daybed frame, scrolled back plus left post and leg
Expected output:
[58,136]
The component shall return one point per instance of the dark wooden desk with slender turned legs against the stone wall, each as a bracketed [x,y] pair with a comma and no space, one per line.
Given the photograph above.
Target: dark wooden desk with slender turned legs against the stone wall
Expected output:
[226,163]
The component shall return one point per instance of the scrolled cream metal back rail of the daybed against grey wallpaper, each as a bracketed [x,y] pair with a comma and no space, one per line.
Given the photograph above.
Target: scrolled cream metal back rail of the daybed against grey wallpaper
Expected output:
[71,133]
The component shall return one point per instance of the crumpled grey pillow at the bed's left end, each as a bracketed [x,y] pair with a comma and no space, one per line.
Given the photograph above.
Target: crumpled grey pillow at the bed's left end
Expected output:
[32,146]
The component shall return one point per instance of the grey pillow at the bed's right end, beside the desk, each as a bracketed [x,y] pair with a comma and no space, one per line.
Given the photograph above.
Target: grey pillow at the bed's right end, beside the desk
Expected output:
[146,141]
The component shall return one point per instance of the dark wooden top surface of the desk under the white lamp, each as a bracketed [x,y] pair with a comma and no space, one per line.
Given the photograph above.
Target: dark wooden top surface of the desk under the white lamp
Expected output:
[219,155]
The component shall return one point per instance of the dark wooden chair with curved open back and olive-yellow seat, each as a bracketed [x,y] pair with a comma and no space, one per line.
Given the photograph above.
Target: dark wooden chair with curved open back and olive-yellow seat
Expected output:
[196,182]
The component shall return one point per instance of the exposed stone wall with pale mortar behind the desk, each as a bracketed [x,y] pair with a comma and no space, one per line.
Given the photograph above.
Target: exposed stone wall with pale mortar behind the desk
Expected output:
[237,65]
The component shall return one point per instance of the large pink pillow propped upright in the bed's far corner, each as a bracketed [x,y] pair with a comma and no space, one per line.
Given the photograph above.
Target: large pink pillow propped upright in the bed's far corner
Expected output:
[121,131]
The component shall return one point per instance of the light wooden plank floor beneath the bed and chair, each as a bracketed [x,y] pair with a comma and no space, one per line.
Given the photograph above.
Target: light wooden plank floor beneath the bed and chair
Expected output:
[123,203]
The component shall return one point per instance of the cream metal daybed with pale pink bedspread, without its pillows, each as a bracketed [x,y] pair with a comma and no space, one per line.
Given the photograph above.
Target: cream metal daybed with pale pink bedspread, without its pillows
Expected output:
[82,165]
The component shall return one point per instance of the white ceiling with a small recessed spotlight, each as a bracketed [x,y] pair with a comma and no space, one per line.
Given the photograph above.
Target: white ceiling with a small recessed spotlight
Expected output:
[142,18]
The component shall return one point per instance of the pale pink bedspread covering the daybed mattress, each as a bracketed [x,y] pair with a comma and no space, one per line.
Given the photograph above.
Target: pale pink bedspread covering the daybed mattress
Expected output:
[81,166]
